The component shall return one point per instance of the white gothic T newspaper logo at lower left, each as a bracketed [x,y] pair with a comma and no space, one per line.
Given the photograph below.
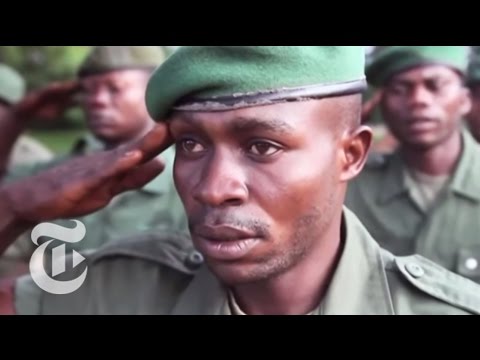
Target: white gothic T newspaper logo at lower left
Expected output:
[56,257]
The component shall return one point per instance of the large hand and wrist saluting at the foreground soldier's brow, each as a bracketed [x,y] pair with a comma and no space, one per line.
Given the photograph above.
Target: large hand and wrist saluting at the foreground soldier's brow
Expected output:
[84,185]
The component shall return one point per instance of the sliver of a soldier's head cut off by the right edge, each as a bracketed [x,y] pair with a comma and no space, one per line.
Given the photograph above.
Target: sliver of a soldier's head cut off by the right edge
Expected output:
[473,83]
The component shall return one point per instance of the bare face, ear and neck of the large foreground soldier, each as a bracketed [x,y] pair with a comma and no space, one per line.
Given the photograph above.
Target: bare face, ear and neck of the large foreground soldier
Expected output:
[263,188]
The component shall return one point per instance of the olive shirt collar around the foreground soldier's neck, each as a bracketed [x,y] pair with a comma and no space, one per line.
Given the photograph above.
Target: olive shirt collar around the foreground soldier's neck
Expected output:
[359,285]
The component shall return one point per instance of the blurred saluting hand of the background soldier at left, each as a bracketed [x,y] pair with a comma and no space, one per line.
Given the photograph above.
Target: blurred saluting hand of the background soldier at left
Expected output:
[48,102]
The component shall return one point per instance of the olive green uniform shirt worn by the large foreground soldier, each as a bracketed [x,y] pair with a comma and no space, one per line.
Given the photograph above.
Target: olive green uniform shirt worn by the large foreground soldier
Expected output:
[153,275]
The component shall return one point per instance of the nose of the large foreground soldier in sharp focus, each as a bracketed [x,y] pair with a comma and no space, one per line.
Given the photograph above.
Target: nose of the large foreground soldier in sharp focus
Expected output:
[222,181]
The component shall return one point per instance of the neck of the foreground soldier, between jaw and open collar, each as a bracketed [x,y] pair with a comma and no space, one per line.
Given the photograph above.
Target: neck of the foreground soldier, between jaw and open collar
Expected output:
[299,290]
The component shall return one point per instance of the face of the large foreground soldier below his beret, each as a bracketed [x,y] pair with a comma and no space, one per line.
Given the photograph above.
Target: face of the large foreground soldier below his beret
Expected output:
[260,185]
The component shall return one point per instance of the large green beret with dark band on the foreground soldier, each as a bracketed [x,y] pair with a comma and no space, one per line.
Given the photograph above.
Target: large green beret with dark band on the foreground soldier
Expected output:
[216,78]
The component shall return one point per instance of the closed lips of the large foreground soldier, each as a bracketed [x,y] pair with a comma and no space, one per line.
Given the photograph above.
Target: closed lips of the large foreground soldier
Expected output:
[225,242]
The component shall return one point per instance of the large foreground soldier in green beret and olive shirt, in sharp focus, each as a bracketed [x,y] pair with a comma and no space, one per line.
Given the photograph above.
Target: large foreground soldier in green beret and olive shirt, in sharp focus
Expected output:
[267,140]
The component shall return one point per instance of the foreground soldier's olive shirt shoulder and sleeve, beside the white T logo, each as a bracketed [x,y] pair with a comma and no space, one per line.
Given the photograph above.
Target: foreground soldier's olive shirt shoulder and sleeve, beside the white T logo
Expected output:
[141,275]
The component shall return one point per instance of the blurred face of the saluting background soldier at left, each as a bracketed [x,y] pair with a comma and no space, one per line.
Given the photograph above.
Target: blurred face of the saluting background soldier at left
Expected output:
[114,104]
